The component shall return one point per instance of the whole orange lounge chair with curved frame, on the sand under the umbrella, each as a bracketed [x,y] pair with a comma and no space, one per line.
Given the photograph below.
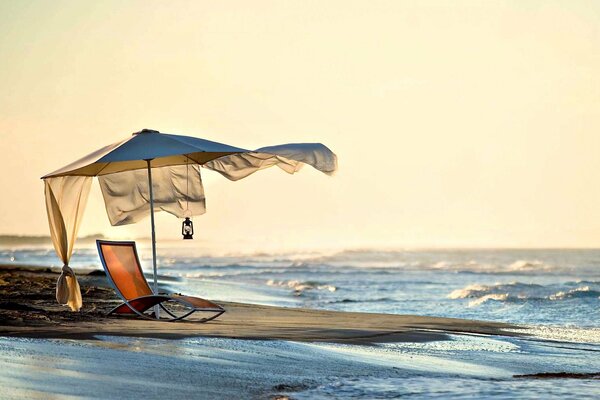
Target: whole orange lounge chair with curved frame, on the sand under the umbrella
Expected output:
[122,266]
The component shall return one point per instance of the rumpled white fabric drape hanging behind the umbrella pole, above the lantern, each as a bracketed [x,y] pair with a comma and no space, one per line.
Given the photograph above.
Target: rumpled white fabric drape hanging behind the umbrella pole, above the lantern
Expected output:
[177,190]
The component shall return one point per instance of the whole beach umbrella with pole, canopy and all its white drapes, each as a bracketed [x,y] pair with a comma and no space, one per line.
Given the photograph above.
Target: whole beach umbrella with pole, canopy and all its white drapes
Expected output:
[150,171]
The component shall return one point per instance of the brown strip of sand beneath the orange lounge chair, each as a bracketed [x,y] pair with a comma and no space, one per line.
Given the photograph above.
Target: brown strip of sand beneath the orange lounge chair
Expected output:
[28,309]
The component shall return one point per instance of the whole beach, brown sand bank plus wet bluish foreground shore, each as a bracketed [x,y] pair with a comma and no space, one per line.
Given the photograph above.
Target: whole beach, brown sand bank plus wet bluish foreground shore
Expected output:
[47,351]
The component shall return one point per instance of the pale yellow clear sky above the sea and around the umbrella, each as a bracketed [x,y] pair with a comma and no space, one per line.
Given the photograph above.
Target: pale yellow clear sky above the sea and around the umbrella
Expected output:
[456,124]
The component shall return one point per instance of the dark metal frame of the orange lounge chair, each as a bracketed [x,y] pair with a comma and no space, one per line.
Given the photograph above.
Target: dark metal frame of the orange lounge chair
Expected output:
[160,297]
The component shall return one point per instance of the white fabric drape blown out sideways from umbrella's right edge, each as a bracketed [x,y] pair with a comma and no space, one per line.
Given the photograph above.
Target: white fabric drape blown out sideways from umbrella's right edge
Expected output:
[289,157]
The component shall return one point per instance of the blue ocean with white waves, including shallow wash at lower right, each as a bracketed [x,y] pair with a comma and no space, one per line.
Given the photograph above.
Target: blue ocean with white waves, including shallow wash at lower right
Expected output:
[555,293]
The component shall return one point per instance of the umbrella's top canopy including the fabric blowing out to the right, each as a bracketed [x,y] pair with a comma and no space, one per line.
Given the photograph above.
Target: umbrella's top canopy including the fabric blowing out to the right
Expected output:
[168,150]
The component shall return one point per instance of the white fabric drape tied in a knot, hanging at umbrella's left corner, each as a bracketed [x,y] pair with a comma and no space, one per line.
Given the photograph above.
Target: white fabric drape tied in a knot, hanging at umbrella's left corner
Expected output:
[66,198]
